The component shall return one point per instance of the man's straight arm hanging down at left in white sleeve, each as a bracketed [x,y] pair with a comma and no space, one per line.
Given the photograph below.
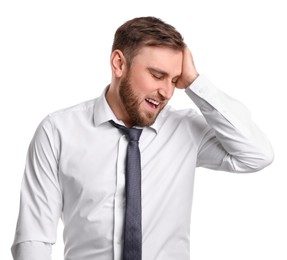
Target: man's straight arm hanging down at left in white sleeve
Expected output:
[41,199]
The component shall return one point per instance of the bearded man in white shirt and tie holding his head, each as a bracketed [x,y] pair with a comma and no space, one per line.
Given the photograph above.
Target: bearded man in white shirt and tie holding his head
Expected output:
[76,161]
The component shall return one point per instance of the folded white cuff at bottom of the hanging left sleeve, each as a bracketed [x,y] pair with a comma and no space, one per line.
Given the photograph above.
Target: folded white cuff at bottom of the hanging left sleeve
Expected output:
[31,250]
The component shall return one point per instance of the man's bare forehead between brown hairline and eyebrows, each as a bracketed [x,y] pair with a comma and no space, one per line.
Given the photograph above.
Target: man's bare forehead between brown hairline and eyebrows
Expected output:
[163,58]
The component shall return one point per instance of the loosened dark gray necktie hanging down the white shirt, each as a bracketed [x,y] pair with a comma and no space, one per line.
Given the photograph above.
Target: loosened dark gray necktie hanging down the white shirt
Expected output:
[133,227]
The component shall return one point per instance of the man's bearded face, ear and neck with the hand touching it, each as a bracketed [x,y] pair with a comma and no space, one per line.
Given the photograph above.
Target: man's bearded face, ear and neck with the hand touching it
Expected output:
[138,93]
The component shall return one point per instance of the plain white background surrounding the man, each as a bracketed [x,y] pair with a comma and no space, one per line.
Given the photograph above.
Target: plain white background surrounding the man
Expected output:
[54,54]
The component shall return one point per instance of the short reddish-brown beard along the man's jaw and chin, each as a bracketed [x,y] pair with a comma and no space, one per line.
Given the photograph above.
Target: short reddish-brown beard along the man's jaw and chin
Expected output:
[132,105]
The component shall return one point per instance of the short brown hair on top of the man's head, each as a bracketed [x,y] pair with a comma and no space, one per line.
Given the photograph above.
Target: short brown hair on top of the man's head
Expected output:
[145,31]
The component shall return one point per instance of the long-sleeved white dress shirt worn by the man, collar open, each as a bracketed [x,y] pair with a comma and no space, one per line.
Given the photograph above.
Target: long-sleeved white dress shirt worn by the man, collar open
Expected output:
[75,171]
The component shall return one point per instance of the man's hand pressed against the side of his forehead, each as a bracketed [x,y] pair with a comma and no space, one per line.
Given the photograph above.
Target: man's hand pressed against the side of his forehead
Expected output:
[189,72]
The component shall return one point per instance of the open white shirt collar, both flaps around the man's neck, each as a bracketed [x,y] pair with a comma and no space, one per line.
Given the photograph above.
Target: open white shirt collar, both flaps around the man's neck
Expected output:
[103,113]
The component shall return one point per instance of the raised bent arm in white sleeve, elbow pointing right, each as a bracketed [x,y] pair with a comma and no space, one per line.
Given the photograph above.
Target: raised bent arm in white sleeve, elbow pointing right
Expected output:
[232,141]
